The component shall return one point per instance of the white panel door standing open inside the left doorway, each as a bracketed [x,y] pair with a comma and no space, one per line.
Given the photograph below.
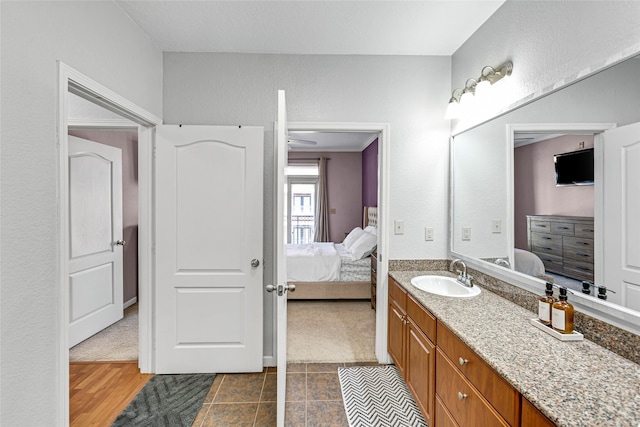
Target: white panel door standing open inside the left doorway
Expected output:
[95,238]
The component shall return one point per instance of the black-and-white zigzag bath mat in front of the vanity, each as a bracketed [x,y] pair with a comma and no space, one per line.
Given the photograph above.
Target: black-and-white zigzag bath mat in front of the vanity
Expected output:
[376,396]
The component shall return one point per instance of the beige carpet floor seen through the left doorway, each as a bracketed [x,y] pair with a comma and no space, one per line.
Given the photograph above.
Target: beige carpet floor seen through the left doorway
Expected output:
[118,342]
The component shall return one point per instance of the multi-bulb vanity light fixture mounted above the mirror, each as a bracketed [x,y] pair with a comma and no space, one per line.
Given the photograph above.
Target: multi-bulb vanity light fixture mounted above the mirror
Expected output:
[476,88]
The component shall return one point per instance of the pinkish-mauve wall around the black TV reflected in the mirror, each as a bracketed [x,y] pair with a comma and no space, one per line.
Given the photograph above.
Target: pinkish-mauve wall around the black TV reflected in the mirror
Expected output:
[535,191]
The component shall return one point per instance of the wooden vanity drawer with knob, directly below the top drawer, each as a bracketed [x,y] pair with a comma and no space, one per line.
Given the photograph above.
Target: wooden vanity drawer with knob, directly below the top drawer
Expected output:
[466,406]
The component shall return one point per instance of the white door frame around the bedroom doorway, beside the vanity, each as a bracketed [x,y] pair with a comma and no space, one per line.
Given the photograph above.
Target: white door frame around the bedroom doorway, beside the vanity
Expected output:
[384,143]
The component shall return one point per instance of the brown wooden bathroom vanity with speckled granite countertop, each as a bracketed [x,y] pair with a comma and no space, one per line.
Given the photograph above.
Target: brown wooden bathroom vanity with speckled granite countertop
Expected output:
[479,361]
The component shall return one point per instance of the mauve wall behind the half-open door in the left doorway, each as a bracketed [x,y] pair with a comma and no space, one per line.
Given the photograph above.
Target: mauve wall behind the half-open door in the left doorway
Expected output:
[127,141]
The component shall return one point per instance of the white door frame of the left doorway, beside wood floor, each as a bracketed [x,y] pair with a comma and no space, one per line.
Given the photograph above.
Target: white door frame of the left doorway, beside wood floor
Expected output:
[71,80]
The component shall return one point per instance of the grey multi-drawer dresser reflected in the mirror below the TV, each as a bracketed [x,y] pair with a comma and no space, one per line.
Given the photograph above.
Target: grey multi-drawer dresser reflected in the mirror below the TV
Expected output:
[563,243]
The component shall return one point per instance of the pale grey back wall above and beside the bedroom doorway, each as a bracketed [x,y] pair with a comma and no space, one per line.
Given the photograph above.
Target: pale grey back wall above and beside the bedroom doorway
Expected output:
[408,92]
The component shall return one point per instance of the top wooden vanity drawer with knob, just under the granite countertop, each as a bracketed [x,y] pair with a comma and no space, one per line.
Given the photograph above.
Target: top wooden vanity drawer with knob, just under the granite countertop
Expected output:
[496,390]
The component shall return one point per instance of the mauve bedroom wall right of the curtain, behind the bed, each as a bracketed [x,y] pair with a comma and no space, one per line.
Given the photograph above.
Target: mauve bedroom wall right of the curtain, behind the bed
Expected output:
[344,179]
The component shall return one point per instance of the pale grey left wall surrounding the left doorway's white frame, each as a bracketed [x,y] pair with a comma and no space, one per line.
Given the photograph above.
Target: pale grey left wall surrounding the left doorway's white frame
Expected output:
[97,39]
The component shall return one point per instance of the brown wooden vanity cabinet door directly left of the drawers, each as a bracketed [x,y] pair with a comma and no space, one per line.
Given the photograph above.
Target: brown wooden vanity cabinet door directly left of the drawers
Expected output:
[420,370]
